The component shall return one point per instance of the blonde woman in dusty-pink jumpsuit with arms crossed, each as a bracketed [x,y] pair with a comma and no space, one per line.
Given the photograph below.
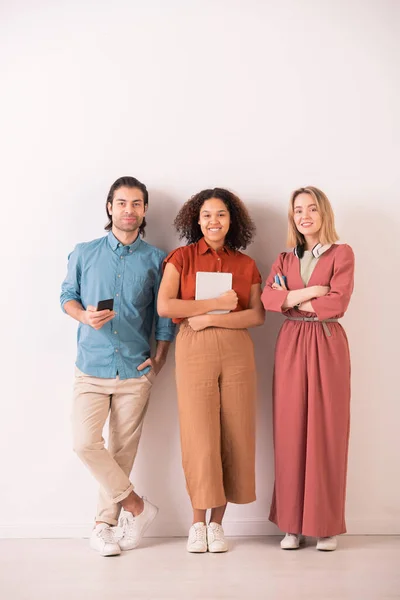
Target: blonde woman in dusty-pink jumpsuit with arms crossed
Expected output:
[311,286]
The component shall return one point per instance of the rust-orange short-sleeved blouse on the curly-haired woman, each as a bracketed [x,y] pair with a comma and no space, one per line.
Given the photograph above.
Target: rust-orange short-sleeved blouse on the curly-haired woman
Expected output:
[200,257]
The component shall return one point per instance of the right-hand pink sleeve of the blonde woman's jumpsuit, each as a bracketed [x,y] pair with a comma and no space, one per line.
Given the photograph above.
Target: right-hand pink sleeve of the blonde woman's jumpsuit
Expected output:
[335,303]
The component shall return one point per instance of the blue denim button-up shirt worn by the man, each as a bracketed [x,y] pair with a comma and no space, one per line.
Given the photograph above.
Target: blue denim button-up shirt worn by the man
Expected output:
[103,269]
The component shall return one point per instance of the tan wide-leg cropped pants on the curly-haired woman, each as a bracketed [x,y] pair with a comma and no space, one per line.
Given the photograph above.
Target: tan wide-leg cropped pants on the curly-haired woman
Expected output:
[216,385]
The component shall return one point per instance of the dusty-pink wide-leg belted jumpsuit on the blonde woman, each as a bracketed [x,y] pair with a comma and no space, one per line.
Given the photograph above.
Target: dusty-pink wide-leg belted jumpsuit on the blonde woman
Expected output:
[311,398]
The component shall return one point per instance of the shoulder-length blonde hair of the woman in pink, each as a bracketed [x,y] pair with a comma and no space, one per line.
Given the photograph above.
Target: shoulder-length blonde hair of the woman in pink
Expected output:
[327,234]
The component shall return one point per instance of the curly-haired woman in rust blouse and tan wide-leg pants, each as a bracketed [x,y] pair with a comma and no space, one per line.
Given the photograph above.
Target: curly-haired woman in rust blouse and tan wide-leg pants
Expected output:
[215,369]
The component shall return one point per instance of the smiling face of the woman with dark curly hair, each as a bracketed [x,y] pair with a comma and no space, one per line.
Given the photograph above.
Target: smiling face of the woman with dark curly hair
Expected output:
[214,221]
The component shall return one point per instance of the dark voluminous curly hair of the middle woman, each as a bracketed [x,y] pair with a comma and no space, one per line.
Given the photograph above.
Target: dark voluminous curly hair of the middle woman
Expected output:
[241,229]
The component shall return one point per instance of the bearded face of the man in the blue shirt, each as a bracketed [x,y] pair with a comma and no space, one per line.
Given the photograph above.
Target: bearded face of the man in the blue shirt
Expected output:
[127,209]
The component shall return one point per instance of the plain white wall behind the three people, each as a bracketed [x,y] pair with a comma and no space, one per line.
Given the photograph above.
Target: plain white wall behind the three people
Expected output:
[261,97]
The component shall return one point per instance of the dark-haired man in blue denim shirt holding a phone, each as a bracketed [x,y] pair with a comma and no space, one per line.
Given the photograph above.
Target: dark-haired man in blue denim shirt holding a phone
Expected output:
[114,368]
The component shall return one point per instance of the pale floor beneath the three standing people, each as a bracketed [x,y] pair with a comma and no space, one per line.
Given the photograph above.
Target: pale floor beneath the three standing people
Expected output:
[362,568]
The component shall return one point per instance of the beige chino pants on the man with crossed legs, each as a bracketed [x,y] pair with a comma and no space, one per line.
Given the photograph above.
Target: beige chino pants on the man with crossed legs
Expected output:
[126,402]
